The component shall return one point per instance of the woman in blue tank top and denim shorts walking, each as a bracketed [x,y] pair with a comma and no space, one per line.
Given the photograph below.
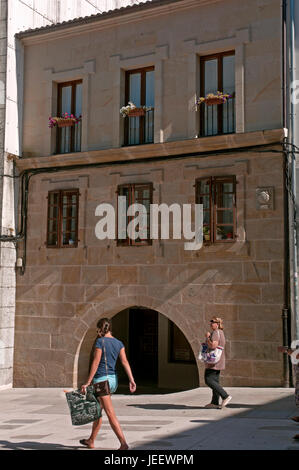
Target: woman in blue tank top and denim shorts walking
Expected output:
[99,372]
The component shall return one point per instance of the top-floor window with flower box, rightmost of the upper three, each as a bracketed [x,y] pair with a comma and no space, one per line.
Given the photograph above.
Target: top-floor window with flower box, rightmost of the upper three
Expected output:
[217,73]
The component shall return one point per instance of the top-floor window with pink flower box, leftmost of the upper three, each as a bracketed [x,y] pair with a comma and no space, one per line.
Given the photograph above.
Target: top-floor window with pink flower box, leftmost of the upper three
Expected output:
[69,101]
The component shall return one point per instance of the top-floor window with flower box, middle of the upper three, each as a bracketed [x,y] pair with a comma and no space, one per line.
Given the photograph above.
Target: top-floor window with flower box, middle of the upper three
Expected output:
[140,90]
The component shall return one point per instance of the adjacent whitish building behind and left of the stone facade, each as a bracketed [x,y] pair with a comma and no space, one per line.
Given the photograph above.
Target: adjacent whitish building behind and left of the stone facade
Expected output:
[20,15]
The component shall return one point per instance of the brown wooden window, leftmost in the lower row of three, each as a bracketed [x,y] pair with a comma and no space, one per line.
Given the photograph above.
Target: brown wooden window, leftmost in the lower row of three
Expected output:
[62,231]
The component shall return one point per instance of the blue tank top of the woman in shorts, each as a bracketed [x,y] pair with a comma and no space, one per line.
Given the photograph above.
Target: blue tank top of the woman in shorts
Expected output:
[113,347]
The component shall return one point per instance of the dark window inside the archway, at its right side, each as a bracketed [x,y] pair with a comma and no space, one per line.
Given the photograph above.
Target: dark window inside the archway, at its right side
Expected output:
[179,348]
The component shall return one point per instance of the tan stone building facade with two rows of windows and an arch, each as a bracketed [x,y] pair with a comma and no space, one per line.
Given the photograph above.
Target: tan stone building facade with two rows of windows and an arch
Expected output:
[160,296]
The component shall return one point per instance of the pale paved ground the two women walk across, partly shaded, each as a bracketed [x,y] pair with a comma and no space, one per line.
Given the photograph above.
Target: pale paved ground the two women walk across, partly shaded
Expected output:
[255,419]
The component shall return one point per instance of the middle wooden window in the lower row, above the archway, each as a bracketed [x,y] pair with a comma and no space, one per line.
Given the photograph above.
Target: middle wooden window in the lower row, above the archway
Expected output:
[135,194]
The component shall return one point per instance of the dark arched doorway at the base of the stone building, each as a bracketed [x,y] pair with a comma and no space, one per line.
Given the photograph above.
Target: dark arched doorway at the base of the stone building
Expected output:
[161,358]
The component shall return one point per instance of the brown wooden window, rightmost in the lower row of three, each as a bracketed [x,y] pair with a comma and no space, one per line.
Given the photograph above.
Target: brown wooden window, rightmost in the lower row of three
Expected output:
[218,197]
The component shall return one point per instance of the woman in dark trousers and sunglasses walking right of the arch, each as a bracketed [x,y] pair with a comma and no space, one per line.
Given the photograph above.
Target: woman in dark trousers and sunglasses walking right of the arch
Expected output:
[214,339]
